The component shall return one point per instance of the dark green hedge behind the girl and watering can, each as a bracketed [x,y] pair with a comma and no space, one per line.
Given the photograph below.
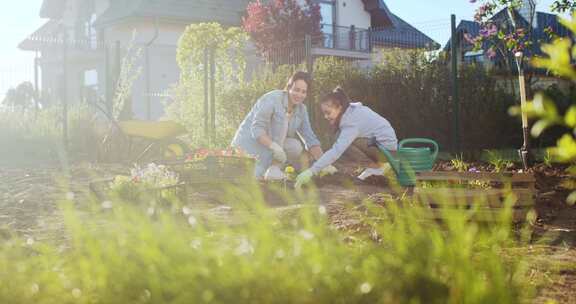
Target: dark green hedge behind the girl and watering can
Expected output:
[411,90]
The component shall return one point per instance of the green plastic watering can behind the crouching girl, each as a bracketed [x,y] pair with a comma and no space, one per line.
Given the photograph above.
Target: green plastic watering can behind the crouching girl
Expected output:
[412,160]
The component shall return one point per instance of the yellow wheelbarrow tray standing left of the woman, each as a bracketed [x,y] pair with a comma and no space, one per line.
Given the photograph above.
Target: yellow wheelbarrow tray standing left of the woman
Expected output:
[159,140]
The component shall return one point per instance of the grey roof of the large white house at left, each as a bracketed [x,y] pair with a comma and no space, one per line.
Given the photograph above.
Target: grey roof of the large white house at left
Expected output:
[223,11]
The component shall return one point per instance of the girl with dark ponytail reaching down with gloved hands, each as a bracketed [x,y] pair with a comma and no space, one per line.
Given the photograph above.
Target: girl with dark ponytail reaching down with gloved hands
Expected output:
[362,132]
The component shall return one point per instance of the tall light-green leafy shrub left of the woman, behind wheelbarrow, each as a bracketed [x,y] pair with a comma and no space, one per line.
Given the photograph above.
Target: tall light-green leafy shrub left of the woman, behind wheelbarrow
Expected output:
[188,106]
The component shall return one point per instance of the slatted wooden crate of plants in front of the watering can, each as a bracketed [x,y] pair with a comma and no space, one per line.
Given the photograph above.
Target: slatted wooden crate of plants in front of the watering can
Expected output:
[481,196]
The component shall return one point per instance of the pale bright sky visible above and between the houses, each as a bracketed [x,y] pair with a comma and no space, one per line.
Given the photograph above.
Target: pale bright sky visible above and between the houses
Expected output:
[20,18]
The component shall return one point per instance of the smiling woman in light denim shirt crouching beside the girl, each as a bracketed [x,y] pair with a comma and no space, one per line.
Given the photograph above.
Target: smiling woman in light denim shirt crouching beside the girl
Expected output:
[272,130]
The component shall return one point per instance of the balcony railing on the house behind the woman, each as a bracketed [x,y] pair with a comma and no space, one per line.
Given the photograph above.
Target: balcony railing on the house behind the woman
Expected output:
[344,38]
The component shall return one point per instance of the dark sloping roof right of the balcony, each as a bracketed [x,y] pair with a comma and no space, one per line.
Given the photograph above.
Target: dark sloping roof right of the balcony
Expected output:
[402,35]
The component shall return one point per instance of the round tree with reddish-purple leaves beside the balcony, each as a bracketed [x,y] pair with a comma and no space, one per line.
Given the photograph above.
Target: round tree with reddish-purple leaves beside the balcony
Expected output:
[282,25]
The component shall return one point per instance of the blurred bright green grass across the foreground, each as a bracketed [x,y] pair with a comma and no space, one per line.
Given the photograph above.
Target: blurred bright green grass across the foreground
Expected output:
[123,254]
